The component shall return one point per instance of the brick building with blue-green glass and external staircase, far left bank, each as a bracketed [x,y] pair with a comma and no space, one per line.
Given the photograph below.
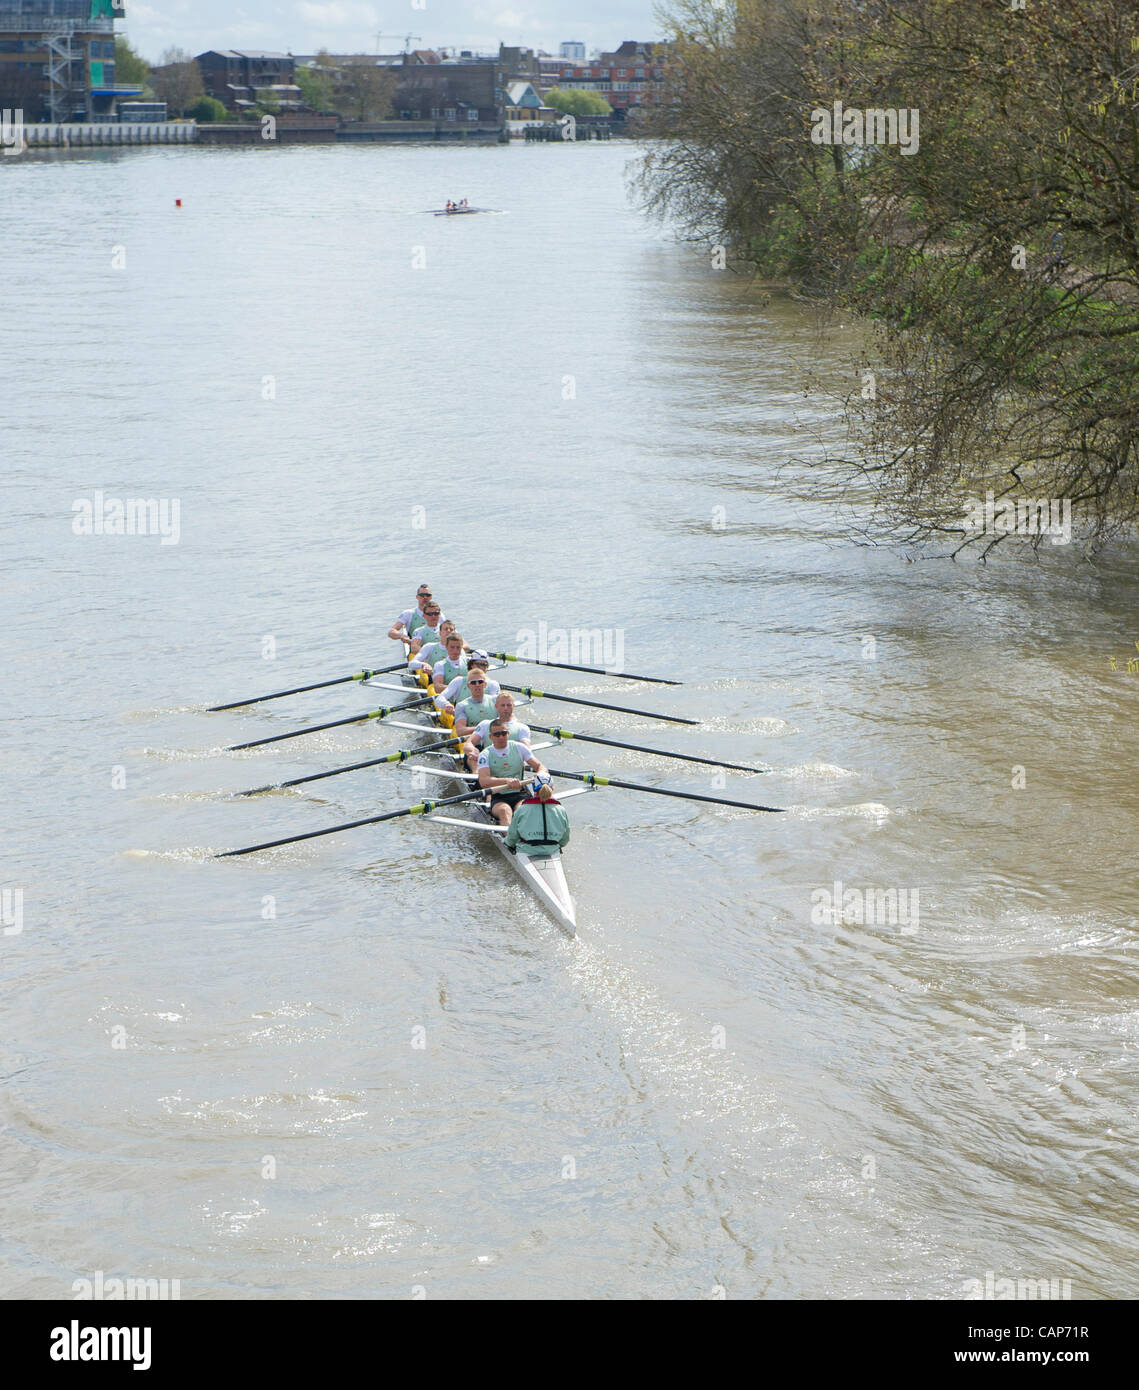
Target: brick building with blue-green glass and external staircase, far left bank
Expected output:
[58,60]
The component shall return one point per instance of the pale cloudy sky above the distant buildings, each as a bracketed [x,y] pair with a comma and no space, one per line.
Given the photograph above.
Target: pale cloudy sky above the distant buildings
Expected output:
[351,26]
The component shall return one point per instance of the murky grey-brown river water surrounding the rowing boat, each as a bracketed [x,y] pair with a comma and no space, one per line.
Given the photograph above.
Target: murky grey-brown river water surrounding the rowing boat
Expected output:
[366,1065]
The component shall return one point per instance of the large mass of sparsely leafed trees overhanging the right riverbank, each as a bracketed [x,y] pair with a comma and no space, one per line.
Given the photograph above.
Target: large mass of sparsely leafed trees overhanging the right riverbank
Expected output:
[998,259]
